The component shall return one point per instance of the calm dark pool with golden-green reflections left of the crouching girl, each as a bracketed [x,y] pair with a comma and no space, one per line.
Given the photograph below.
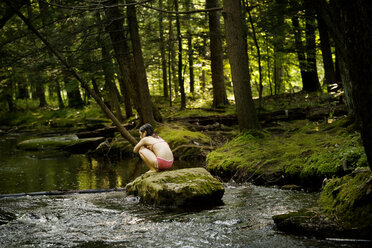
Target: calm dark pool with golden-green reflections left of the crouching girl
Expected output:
[33,171]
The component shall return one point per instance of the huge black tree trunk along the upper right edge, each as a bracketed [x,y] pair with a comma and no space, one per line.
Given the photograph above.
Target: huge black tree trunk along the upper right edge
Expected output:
[350,22]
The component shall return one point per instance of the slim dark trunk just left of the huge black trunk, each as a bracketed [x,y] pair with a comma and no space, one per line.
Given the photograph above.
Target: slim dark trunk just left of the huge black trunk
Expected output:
[325,45]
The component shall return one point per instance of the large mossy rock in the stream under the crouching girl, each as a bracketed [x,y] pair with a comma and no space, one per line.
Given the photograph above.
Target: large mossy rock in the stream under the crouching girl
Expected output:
[194,187]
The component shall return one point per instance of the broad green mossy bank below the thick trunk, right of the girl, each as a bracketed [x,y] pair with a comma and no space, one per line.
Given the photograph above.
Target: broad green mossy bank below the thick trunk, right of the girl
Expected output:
[304,154]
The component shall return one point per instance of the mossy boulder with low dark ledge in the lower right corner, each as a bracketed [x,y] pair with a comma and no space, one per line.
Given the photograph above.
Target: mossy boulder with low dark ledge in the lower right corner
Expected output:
[344,210]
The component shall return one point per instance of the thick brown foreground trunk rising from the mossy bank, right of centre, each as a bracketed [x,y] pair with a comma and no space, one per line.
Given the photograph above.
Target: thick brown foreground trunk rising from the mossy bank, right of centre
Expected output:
[238,58]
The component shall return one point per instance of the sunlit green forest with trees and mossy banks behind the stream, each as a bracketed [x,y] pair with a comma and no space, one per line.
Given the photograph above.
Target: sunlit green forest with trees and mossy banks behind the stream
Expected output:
[219,80]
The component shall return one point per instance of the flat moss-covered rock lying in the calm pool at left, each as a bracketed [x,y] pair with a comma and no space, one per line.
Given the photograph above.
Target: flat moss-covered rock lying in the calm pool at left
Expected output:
[48,143]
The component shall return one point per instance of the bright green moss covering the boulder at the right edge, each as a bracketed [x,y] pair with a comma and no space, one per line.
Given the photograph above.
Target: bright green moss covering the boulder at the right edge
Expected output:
[348,199]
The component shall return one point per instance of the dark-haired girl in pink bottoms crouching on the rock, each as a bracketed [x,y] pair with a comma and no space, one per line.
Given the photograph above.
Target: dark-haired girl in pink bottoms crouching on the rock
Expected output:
[154,151]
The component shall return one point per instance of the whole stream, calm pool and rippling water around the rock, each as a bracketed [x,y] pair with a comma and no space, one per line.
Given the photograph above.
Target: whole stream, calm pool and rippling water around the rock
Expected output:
[114,219]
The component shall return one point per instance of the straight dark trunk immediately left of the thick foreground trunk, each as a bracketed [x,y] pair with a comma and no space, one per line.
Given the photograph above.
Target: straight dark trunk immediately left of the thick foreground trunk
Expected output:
[218,80]
